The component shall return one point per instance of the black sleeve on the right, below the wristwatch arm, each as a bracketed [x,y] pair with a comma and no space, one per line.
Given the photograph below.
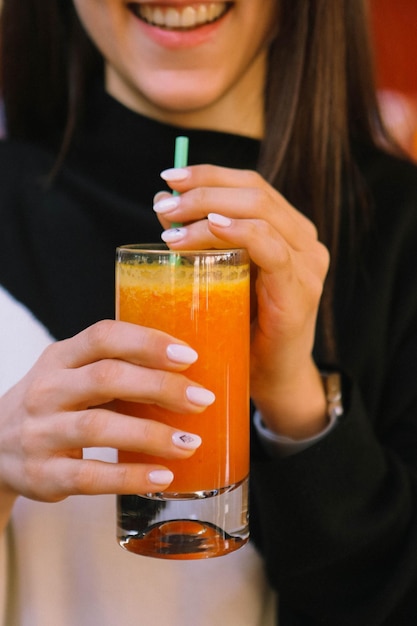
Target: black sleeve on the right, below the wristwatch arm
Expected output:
[337,523]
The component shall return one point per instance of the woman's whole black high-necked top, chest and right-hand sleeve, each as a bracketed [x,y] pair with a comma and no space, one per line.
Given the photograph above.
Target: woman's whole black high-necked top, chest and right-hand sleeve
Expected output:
[337,523]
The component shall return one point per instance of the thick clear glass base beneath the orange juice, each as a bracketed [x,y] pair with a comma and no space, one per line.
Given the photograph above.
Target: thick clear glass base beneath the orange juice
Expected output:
[185,526]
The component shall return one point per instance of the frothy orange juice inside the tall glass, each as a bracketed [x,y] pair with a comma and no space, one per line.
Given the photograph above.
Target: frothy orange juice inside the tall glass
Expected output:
[207,306]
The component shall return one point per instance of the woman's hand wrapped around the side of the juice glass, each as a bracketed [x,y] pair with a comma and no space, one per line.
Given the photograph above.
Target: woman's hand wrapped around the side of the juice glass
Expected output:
[64,404]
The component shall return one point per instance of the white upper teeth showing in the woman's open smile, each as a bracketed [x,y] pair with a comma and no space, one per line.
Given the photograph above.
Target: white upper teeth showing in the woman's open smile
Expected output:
[180,18]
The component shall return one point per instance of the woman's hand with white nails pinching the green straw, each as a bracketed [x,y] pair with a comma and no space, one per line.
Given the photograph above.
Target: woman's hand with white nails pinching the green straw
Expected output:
[220,208]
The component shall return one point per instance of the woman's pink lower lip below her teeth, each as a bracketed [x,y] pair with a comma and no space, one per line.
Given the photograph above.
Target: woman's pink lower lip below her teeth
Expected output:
[181,38]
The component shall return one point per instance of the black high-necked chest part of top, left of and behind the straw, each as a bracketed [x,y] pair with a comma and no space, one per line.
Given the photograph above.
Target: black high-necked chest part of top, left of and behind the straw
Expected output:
[62,236]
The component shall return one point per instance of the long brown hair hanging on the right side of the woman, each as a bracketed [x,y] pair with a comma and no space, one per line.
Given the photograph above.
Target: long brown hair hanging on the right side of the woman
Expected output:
[321,101]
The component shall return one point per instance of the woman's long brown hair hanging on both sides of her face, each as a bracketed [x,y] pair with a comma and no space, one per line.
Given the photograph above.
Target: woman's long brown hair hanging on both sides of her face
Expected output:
[320,99]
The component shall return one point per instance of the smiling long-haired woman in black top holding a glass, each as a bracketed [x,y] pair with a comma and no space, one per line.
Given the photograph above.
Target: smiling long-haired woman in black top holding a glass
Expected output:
[284,88]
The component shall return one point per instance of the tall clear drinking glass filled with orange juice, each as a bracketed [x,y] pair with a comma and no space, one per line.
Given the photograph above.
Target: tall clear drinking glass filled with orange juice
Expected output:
[202,298]
